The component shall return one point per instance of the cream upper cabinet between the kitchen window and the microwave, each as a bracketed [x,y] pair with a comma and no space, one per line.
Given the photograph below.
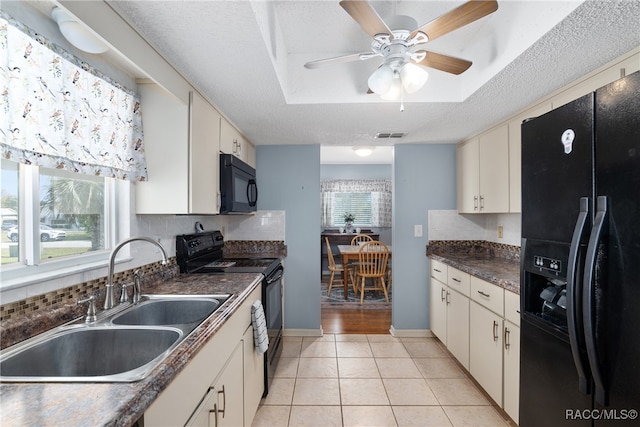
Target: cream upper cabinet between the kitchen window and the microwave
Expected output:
[181,147]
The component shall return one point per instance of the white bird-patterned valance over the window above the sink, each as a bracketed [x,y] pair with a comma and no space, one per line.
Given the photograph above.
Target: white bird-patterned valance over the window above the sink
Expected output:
[58,112]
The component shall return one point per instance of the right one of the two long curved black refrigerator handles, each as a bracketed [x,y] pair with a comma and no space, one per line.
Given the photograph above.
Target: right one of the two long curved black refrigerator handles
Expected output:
[589,303]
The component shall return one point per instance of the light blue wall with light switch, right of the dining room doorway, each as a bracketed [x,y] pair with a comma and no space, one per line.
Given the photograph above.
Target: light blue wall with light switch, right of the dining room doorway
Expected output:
[424,179]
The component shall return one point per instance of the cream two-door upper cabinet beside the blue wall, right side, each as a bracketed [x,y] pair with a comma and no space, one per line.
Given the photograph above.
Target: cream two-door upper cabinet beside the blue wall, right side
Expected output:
[483,173]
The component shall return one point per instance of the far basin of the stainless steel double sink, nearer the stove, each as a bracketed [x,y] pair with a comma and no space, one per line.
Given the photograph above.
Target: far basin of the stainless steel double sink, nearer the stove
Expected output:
[174,310]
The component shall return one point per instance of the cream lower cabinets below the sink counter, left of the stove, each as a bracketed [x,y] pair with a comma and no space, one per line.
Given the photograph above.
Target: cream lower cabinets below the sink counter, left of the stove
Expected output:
[221,385]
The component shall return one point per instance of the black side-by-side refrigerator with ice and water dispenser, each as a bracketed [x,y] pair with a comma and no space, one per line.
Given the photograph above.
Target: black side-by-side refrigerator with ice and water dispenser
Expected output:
[580,261]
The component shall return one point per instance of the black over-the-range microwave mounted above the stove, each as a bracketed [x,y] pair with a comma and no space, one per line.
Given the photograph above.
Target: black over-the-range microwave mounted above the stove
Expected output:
[238,188]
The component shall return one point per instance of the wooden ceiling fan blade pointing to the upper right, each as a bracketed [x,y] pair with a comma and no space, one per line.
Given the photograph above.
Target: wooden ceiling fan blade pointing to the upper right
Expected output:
[457,18]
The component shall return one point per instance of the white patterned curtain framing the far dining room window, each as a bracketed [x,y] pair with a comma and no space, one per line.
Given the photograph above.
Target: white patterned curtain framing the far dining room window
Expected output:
[379,189]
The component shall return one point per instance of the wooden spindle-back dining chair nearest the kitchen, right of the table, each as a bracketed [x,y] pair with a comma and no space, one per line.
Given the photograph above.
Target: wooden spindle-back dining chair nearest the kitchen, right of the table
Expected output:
[372,264]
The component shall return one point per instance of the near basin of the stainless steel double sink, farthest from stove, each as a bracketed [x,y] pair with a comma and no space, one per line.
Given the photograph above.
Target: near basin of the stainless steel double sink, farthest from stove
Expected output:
[91,354]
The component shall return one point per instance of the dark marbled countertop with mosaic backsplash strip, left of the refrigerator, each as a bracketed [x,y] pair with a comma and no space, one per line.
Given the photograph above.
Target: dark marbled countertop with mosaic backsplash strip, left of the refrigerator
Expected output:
[496,263]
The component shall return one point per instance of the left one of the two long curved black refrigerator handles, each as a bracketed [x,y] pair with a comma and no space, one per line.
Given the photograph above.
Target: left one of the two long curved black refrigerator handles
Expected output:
[574,293]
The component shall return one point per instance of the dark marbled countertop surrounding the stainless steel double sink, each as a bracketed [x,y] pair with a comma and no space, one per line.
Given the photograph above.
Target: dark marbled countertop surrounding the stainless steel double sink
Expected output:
[122,404]
